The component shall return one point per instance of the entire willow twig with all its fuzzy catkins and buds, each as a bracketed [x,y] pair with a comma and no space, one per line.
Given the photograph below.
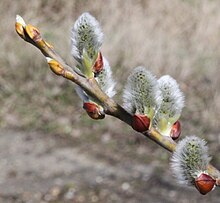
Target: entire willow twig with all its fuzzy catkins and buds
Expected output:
[152,107]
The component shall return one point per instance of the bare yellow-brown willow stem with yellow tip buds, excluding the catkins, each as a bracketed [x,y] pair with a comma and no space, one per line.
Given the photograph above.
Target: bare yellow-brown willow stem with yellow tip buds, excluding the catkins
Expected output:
[32,35]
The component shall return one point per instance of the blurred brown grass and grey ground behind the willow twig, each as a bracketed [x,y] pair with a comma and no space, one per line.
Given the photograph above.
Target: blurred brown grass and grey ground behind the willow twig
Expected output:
[50,150]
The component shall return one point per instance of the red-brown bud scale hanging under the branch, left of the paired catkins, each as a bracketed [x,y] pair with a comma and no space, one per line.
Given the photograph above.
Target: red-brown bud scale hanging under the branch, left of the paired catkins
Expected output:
[93,110]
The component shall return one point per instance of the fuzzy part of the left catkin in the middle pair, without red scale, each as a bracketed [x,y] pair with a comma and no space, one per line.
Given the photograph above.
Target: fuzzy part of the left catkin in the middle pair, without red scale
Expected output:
[141,93]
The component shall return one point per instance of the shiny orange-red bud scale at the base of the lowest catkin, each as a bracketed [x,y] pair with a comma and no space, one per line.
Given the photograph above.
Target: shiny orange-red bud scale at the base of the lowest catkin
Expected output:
[204,183]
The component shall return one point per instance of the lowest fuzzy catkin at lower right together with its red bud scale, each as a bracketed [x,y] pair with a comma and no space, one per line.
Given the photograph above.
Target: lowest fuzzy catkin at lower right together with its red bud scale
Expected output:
[189,164]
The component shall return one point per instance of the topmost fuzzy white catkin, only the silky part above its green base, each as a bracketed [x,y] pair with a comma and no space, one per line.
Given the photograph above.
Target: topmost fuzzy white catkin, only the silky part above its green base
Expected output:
[86,35]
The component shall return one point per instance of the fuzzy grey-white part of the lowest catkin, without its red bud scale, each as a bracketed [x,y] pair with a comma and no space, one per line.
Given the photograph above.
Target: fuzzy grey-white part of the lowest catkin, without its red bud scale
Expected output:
[189,159]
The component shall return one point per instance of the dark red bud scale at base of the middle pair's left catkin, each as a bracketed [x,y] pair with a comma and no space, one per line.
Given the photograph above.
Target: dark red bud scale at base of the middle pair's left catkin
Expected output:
[140,122]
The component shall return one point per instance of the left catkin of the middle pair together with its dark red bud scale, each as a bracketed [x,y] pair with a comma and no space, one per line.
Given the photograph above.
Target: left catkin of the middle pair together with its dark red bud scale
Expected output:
[141,98]
